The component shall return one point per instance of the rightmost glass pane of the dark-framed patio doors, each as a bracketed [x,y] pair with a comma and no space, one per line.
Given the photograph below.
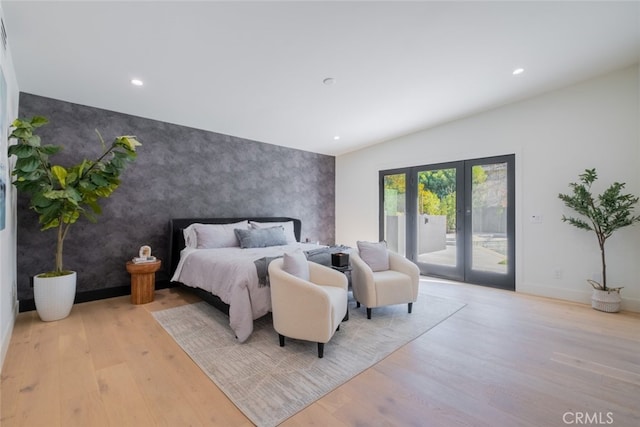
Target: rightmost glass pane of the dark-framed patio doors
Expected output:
[489,218]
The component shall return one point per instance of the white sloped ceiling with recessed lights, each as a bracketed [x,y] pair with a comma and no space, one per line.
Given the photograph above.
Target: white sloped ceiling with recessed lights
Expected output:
[255,69]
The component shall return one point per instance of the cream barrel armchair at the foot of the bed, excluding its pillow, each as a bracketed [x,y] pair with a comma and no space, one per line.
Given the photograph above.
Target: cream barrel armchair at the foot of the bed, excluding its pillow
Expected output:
[307,310]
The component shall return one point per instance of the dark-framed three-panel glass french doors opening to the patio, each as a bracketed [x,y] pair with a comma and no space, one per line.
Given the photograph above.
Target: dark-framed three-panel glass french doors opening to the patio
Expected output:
[454,220]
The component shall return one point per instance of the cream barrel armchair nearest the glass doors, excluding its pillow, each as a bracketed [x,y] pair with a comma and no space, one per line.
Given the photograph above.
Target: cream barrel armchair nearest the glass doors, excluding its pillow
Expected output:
[397,285]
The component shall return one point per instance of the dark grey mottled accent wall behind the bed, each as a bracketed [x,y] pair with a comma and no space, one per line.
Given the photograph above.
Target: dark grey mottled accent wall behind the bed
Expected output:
[180,172]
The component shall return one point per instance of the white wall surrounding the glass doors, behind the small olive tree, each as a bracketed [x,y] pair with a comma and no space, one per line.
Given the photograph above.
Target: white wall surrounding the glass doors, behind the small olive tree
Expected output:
[554,138]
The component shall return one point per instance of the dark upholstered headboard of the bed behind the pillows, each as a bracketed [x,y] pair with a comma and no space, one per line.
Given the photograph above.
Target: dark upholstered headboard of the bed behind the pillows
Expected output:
[177,225]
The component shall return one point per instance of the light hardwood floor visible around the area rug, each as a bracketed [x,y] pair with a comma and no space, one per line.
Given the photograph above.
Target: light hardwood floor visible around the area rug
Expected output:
[506,359]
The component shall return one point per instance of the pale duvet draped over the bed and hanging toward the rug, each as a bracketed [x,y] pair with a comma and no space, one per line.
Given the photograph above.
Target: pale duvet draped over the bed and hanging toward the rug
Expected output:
[230,273]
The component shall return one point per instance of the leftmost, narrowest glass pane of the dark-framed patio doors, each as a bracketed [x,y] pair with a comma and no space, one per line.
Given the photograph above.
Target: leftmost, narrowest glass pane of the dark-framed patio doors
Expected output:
[394,212]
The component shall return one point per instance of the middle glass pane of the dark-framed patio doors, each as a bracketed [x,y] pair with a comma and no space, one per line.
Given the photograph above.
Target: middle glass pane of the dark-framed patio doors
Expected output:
[436,231]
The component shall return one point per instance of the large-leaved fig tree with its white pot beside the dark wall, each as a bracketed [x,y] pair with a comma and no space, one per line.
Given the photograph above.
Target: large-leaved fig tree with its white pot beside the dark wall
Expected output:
[60,196]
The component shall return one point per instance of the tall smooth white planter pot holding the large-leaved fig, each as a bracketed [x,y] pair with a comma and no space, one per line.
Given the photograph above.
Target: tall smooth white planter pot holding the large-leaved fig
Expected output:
[54,296]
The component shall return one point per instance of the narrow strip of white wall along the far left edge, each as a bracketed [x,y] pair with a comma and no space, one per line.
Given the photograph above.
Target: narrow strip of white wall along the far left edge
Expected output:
[8,299]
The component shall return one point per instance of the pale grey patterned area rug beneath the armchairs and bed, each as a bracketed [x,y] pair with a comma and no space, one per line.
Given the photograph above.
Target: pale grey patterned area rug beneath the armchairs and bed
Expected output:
[269,383]
